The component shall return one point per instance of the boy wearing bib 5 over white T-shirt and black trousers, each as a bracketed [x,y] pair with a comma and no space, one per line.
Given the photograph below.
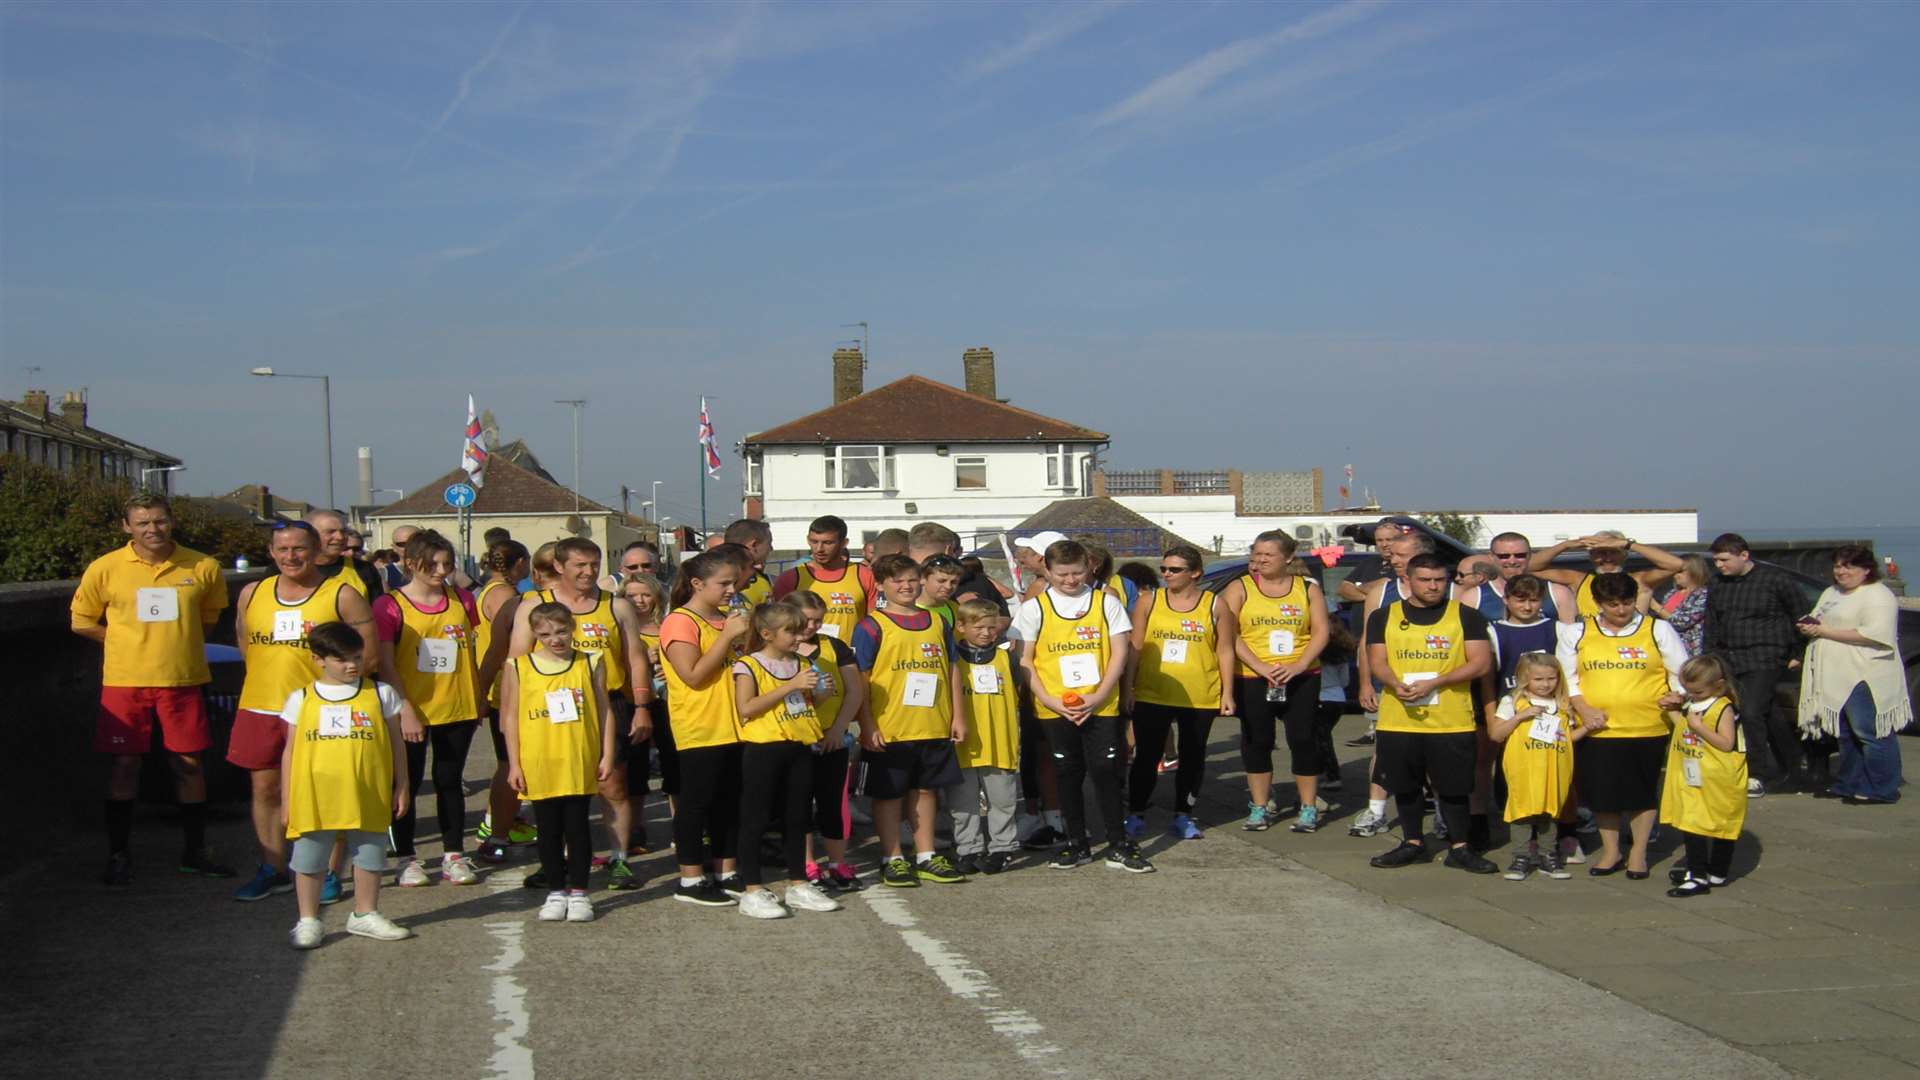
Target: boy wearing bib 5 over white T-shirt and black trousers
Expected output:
[1074,643]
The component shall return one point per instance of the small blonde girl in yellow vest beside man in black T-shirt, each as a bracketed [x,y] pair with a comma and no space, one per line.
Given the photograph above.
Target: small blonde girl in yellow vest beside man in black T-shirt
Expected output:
[1535,722]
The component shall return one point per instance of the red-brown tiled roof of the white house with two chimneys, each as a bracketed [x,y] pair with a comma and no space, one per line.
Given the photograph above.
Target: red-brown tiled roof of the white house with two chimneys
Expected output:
[923,410]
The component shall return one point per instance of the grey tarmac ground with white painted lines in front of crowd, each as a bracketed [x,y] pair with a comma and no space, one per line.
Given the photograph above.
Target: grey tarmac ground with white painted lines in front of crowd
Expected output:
[1245,954]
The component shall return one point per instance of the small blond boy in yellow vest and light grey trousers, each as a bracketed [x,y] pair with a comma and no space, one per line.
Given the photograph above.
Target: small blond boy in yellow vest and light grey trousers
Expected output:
[990,758]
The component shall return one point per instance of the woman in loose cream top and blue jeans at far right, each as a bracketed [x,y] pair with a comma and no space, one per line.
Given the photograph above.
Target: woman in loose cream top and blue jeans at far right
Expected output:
[1854,687]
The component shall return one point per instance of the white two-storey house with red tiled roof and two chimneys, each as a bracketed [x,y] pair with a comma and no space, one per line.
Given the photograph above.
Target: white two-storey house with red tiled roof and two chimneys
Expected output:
[915,451]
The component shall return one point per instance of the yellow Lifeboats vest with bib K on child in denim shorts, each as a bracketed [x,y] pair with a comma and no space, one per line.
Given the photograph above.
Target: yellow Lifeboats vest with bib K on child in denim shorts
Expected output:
[343,770]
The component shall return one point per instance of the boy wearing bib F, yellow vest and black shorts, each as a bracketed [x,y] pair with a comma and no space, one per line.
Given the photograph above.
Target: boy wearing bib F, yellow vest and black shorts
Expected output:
[915,720]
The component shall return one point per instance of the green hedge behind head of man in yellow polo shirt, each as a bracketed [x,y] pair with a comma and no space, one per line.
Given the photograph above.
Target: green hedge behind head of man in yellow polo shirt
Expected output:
[55,524]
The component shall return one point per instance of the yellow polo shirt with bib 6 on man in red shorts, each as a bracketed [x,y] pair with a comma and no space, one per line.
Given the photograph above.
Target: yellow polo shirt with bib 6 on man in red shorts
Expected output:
[145,645]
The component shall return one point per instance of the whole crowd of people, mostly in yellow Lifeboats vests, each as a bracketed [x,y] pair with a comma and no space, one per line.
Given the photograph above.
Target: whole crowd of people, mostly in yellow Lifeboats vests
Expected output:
[913,693]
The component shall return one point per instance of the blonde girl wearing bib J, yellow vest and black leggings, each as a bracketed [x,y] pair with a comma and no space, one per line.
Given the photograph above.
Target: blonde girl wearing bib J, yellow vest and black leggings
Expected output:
[560,747]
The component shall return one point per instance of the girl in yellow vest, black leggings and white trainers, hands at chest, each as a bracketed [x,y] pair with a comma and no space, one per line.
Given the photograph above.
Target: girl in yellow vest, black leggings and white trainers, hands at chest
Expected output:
[780,733]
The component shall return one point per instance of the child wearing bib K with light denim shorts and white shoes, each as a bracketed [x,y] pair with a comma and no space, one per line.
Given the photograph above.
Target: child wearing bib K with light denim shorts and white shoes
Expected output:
[345,779]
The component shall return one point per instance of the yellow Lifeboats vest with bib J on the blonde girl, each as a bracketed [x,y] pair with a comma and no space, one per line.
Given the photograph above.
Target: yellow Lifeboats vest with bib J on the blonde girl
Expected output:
[560,727]
